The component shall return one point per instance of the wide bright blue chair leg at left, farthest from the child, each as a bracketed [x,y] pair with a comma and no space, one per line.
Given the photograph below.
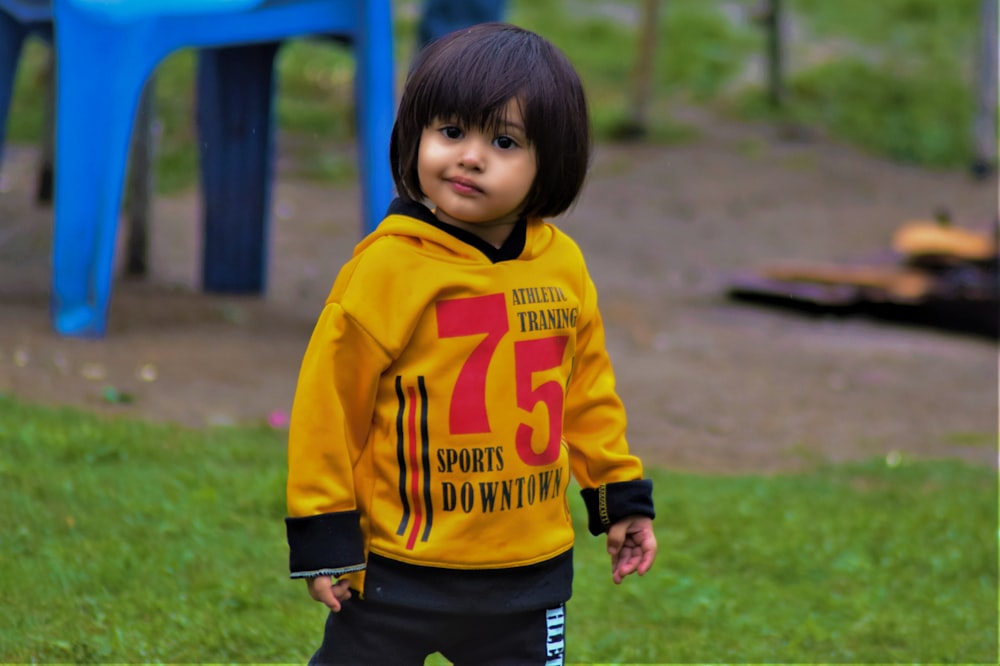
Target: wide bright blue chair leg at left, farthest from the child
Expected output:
[96,108]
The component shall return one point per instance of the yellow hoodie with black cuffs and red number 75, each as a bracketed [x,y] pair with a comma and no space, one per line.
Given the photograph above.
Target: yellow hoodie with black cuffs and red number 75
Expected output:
[448,391]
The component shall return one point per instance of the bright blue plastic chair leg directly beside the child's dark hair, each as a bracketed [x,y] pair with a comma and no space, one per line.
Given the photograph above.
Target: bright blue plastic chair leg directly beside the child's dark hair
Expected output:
[376,105]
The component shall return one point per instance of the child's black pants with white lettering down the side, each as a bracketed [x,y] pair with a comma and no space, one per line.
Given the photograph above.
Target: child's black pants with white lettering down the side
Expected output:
[366,632]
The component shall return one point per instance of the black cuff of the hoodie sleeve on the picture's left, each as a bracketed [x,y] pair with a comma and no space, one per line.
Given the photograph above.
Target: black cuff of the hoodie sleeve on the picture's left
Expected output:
[329,544]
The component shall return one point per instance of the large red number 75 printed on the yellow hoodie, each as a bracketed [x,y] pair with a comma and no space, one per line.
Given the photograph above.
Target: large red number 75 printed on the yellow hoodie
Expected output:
[467,412]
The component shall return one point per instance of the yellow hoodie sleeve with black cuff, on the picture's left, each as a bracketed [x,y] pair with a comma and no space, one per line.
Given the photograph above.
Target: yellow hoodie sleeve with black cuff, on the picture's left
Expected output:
[334,400]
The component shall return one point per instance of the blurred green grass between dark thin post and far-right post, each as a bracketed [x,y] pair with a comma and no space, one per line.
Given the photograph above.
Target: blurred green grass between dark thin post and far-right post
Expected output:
[899,83]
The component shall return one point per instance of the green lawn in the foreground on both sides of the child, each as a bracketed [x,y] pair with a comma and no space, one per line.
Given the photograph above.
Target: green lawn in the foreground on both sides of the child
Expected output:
[128,542]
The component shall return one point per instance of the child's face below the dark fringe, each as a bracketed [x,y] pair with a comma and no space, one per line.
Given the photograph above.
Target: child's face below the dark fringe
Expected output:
[477,181]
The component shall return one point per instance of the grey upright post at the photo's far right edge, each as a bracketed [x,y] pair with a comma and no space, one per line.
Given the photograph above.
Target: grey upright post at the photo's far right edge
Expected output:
[985,125]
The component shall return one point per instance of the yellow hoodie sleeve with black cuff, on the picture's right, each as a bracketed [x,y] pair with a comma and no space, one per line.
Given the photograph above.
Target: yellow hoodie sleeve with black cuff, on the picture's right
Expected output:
[594,428]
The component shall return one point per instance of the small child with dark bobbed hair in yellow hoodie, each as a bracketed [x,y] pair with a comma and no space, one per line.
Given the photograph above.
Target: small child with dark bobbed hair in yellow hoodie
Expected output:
[457,375]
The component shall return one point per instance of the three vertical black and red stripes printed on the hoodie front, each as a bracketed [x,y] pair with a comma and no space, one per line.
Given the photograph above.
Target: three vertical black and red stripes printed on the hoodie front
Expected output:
[413,459]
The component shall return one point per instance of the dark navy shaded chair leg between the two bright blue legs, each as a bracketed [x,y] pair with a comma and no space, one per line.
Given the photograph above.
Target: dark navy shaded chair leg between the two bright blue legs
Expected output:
[235,98]
